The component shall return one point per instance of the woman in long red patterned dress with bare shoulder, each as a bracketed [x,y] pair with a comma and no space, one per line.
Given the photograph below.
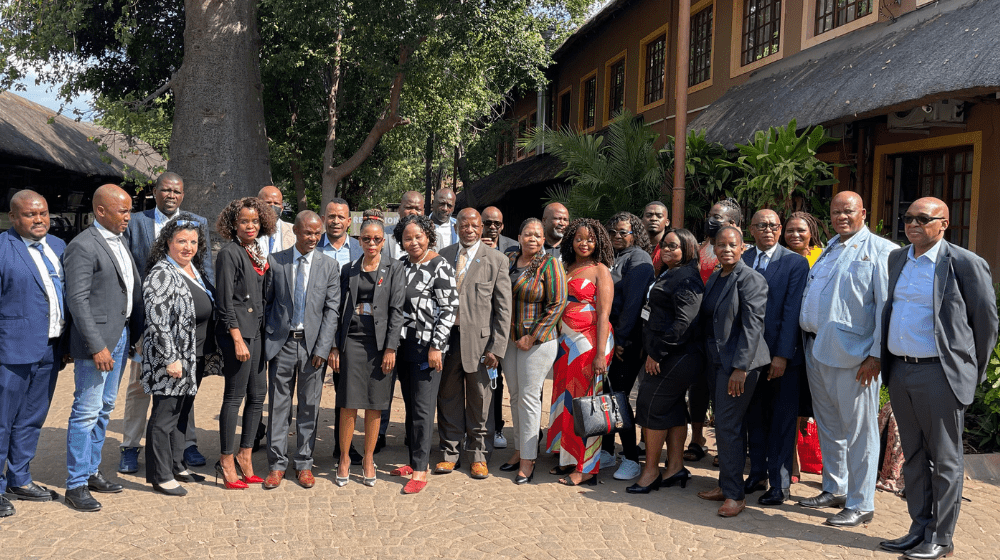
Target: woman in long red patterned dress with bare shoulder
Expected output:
[586,346]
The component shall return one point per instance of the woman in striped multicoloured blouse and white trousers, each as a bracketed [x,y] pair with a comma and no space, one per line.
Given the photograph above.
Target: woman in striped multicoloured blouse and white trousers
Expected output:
[538,287]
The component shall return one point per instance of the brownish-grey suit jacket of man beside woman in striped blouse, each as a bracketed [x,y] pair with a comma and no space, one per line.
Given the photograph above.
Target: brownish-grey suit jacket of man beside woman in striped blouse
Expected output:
[484,302]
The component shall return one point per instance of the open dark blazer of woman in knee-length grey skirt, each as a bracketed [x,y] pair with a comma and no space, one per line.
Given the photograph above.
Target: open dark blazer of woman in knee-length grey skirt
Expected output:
[387,302]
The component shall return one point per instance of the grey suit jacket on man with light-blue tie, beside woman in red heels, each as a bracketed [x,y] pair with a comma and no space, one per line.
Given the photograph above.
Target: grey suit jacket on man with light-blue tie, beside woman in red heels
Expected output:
[322,303]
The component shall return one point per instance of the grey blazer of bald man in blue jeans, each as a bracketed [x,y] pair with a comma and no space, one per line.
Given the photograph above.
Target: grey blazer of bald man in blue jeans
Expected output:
[97,297]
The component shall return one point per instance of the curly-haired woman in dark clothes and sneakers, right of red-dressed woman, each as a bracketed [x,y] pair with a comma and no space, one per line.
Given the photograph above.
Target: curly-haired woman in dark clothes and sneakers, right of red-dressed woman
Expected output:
[632,274]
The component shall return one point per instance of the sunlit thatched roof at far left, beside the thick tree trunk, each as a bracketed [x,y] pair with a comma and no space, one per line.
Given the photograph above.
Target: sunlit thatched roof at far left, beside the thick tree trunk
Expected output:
[26,132]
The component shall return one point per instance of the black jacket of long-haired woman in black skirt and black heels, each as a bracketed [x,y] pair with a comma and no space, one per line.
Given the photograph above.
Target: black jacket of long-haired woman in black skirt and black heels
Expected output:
[674,304]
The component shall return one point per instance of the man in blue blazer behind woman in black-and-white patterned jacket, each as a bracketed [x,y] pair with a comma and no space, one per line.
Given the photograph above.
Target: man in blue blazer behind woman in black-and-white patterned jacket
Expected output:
[142,231]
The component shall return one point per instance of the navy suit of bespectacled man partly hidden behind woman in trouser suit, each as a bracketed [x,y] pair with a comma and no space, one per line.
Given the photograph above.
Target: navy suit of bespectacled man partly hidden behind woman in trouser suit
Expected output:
[771,418]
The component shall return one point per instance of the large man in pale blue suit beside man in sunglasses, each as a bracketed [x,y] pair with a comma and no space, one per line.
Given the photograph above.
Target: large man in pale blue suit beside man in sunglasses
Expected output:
[841,319]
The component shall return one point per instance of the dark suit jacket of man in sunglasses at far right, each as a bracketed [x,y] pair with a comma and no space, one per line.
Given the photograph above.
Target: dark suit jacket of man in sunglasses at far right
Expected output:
[965,317]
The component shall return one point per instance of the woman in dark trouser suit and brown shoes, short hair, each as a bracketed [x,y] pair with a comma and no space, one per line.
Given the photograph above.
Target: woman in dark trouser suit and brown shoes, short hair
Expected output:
[732,312]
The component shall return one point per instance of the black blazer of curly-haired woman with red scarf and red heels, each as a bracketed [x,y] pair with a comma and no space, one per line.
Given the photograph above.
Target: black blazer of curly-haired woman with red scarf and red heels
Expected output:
[238,301]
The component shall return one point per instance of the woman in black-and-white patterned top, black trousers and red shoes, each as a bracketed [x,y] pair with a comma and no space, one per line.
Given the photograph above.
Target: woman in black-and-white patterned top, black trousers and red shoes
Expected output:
[428,314]
